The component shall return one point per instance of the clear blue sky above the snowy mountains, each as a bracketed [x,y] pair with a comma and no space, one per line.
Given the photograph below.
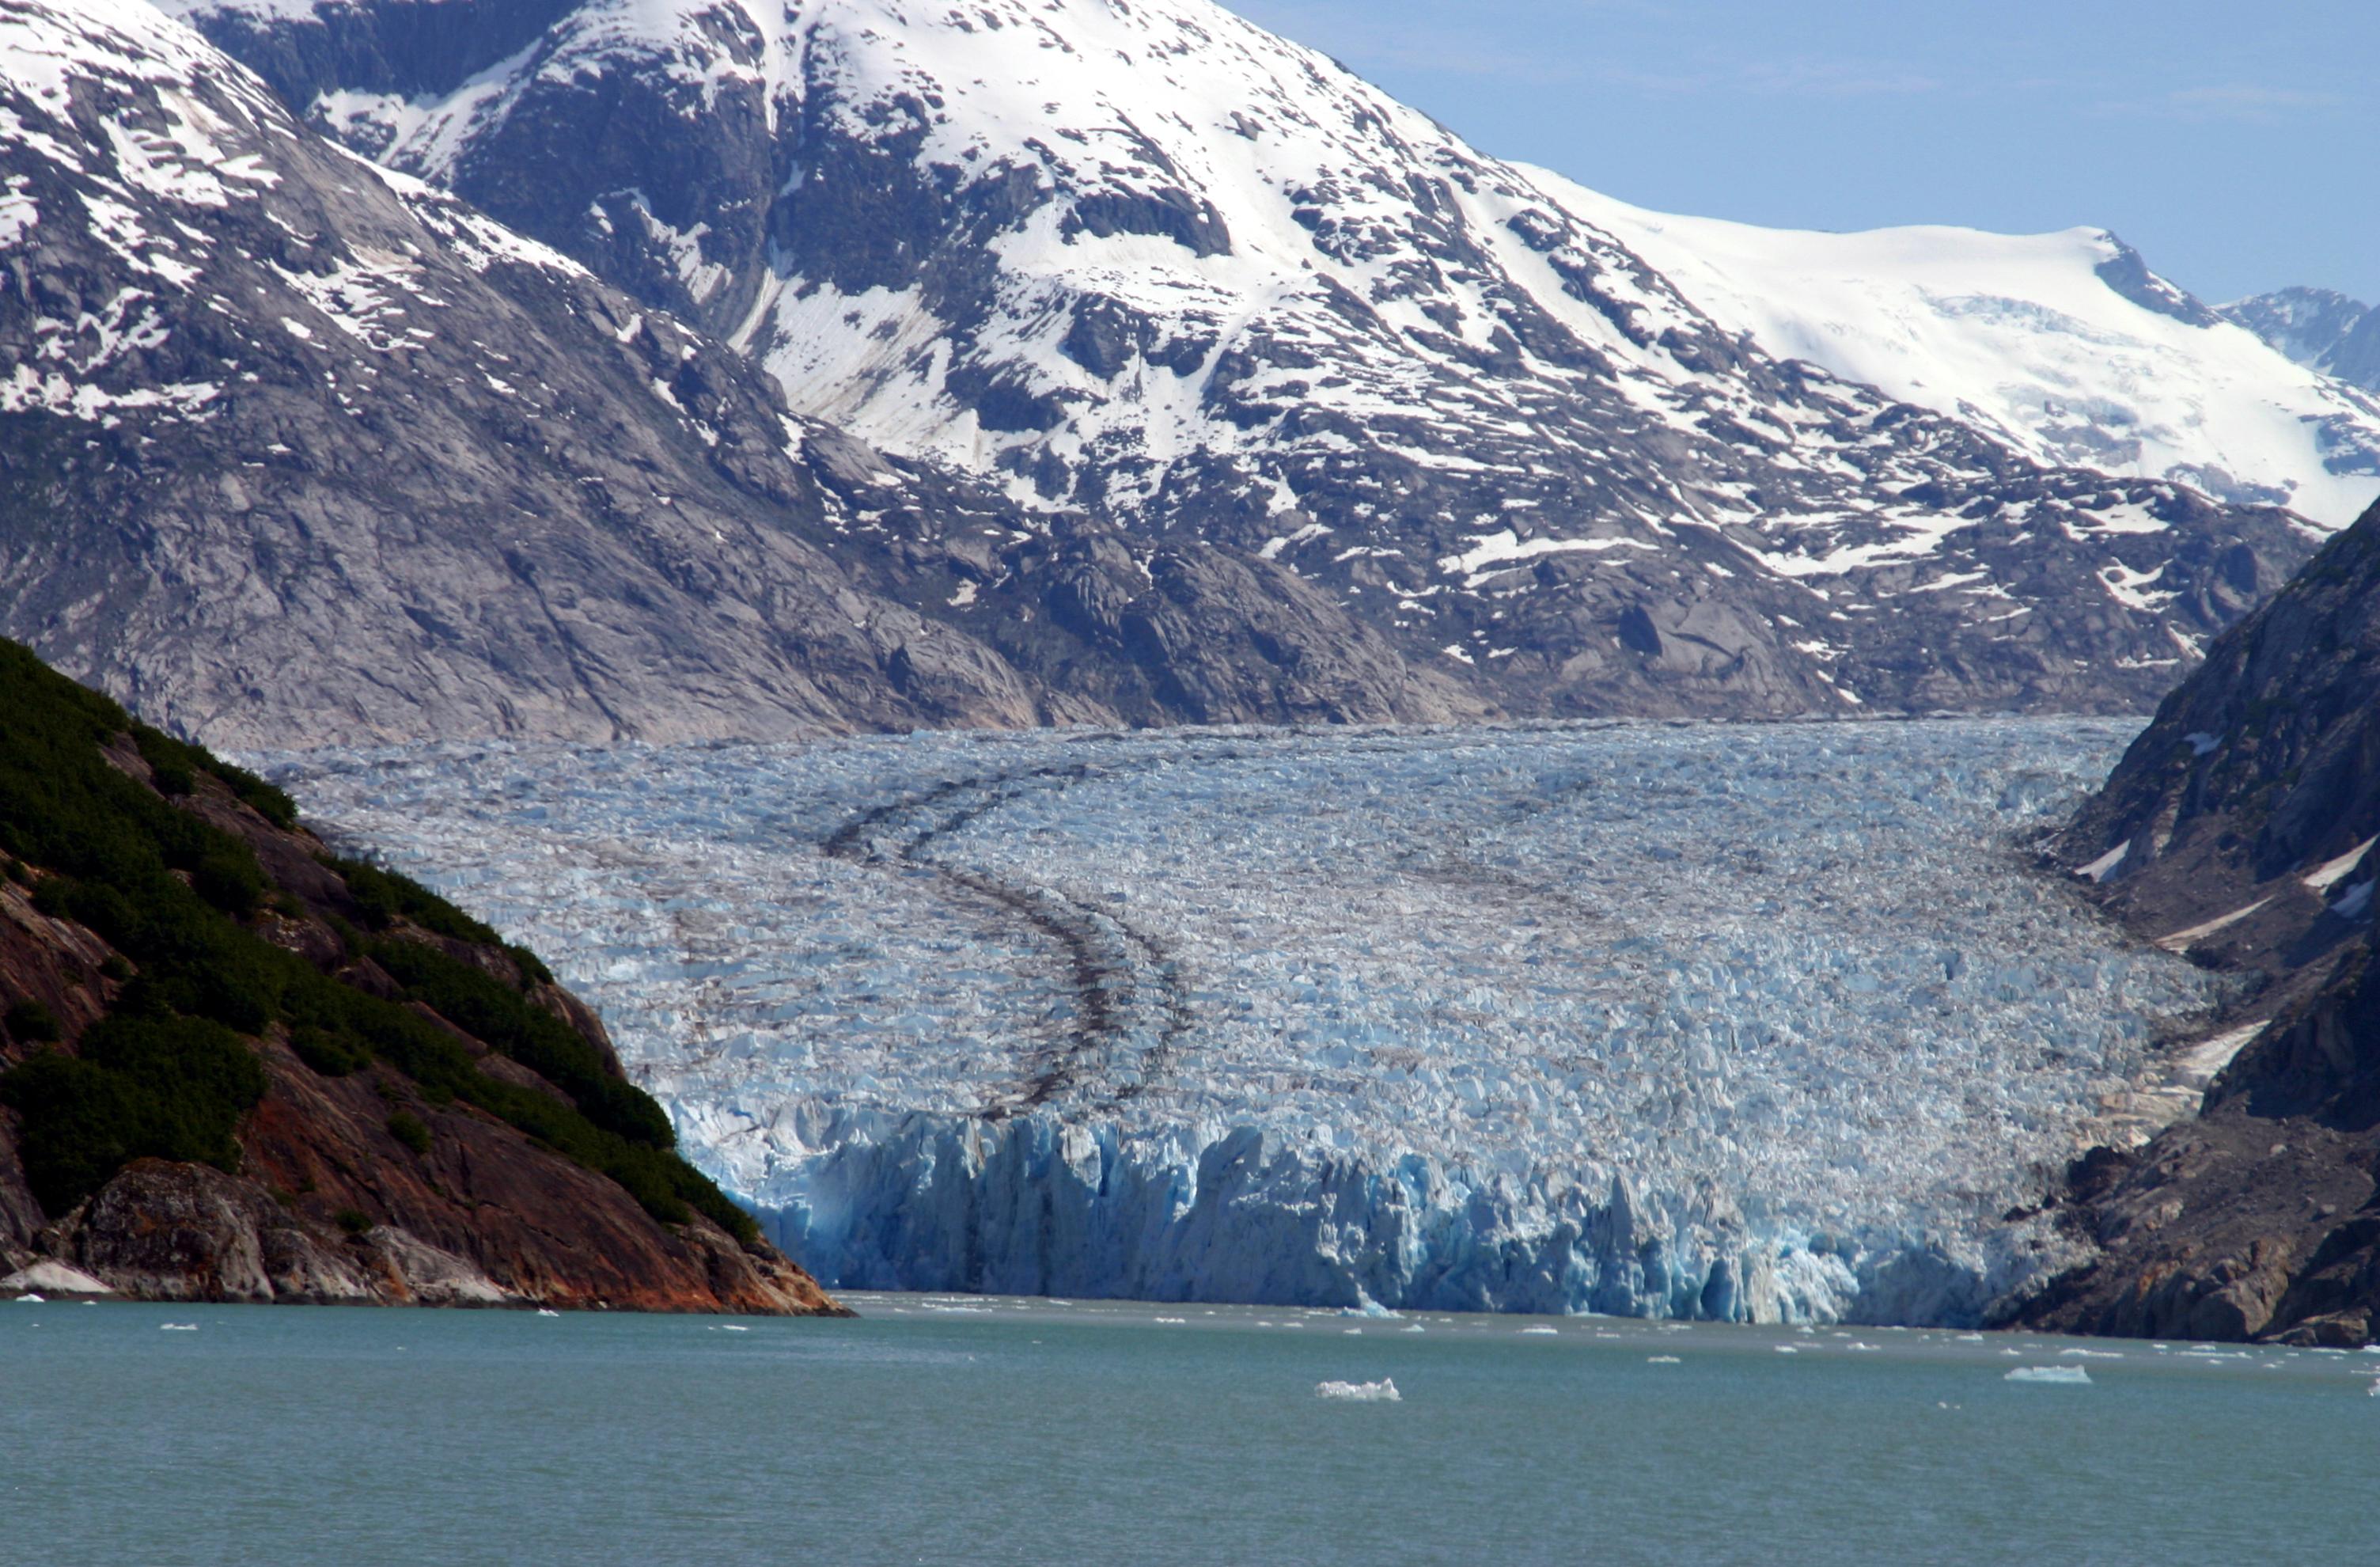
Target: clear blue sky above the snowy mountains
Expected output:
[2238,146]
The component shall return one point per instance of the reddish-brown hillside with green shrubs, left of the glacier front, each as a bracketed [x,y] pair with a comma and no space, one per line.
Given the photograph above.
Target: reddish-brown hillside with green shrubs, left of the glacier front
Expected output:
[234,1068]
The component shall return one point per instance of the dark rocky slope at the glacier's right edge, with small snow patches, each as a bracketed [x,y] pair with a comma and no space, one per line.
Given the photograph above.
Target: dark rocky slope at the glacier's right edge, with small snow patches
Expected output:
[2241,830]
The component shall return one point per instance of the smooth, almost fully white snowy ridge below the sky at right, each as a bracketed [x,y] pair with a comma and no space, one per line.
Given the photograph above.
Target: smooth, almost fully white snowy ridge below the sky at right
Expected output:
[2060,344]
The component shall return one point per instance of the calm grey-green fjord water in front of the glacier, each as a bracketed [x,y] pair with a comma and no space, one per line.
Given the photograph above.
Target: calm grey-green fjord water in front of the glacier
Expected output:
[987,1430]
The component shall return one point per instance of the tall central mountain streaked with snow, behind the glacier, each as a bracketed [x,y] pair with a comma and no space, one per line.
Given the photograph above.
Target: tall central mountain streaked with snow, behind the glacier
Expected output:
[1160,266]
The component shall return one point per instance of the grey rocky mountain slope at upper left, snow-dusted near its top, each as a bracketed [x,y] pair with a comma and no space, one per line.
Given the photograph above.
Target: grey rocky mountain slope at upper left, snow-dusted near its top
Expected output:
[303,451]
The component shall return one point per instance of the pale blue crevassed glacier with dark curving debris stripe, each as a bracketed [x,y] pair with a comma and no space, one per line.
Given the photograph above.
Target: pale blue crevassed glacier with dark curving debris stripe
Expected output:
[1662,1020]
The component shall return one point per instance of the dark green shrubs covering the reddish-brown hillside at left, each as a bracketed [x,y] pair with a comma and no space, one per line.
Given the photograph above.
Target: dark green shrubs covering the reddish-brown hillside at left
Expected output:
[170,1073]
